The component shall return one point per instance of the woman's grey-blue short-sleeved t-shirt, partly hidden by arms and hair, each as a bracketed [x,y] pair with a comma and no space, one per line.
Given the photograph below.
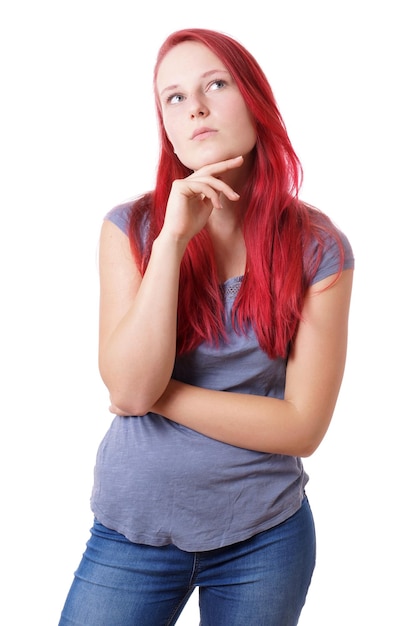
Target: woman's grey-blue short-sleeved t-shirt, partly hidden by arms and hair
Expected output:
[158,482]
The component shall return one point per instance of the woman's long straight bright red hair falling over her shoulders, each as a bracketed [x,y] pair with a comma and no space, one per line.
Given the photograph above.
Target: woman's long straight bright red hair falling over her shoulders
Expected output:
[277,226]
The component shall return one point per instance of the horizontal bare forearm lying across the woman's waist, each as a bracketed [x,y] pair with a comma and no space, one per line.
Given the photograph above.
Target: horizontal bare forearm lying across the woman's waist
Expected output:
[247,421]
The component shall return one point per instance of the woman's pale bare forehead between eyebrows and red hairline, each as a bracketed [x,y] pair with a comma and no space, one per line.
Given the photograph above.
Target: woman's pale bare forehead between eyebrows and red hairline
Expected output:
[187,60]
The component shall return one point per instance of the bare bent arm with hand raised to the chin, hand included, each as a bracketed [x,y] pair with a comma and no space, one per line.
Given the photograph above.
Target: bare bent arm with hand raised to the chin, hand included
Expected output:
[138,316]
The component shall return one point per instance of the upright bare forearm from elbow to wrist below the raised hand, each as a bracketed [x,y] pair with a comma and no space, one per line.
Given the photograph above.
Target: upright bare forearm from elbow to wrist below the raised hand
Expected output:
[137,359]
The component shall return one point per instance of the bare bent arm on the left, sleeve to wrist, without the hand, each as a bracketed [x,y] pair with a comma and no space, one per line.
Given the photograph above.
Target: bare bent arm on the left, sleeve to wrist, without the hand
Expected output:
[138,316]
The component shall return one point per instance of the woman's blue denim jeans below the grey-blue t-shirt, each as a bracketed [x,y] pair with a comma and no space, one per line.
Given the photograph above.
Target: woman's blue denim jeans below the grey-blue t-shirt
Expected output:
[262,581]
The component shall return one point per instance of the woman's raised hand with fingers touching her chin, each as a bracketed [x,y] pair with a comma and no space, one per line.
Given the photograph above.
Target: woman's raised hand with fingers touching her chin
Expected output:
[193,199]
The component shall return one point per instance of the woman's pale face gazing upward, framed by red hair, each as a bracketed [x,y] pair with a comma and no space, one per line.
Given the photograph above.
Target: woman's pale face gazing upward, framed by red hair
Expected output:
[203,111]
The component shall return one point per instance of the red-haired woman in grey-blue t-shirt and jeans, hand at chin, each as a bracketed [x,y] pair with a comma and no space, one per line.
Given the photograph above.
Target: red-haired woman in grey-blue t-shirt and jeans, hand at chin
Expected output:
[223,330]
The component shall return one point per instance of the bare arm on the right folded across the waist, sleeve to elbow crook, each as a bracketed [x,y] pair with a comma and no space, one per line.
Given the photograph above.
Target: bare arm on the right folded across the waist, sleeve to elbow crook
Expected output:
[297,424]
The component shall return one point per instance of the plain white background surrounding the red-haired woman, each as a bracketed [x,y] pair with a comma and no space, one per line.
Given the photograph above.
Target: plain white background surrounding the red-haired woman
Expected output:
[77,137]
